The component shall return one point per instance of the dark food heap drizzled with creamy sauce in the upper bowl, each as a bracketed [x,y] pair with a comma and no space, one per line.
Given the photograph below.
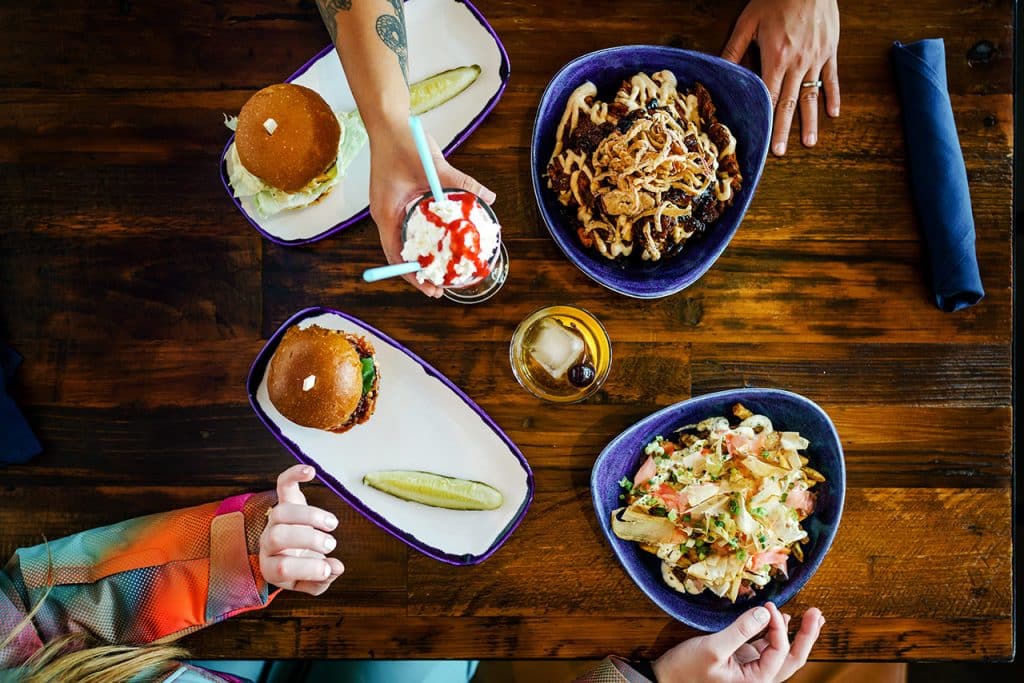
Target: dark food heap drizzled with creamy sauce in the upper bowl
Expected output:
[636,168]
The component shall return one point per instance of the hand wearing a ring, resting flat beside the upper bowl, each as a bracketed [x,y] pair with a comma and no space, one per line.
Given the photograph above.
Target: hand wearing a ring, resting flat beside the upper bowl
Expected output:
[798,41]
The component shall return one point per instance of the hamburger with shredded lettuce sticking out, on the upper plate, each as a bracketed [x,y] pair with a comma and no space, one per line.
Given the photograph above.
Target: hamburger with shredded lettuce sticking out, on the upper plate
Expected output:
[290,149]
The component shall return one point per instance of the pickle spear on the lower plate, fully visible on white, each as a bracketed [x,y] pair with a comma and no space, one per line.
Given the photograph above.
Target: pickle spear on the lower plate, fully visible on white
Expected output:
[436,490]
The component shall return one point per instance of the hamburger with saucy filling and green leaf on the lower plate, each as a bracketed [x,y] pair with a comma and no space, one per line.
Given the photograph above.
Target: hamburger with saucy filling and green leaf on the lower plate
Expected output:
[324,379]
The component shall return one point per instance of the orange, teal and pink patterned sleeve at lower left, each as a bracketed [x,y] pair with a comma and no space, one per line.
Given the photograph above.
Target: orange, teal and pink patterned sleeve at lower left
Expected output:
[151,579]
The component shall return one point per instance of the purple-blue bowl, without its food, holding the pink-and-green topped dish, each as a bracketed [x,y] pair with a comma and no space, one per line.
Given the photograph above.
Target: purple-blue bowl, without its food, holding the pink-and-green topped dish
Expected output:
[788,411]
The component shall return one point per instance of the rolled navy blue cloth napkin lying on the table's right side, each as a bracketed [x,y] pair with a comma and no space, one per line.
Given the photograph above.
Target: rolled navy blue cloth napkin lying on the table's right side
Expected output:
[938,178]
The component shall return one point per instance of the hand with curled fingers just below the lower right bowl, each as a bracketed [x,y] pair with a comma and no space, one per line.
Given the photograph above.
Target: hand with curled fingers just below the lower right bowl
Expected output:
[735,655]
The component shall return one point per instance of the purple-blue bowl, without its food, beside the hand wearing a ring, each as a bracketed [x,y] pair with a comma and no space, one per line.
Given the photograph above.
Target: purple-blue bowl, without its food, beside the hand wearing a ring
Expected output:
[743,105]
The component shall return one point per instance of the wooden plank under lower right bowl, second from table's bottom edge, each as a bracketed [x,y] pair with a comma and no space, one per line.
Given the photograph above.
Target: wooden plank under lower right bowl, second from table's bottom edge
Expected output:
[881,548]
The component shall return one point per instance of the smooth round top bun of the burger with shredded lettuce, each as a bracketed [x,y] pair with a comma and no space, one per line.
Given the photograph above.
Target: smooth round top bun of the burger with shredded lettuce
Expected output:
[302,148]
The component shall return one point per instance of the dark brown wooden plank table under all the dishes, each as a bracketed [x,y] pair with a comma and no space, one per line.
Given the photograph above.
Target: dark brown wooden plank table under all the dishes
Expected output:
[139,296]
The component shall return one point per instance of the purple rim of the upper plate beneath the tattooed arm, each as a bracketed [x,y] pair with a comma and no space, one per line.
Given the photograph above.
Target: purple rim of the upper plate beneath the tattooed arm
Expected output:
[504,73]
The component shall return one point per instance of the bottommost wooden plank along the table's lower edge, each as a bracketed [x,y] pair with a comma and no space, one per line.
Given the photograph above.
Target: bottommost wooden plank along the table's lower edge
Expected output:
[860,638]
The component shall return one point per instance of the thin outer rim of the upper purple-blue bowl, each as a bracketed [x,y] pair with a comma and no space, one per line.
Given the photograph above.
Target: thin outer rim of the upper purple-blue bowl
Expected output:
[535,177]
